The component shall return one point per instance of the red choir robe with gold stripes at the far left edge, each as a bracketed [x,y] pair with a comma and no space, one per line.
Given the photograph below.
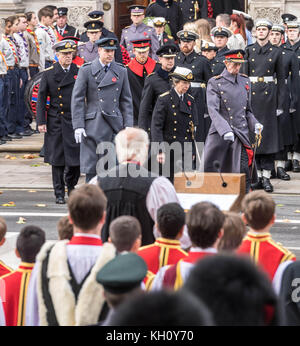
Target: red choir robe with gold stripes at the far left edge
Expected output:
[14,294]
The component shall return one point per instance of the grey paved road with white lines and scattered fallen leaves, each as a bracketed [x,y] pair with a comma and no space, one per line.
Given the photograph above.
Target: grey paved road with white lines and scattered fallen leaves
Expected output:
[27,183]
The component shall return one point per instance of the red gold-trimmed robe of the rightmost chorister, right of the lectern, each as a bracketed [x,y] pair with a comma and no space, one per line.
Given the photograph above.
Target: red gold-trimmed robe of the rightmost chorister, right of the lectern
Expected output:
[265,252]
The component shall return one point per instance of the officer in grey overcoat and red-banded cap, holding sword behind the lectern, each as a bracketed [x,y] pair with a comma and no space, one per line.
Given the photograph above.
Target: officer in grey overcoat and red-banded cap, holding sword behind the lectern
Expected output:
[228,101]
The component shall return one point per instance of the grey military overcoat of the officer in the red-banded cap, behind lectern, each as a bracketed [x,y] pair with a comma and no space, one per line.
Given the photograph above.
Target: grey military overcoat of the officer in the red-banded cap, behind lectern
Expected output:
[229,108]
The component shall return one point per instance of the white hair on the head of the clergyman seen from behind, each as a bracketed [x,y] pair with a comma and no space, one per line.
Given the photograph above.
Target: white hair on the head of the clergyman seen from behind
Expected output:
[132,144]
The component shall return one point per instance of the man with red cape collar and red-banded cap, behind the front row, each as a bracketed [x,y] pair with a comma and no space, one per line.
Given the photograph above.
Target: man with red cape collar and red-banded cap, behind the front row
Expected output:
[138,69]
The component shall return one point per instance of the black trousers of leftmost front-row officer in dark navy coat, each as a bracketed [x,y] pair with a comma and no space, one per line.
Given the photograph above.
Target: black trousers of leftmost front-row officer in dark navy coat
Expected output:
[63,176]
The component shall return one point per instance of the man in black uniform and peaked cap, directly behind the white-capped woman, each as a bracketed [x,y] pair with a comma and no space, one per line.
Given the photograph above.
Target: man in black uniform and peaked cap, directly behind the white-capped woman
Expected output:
[156,84]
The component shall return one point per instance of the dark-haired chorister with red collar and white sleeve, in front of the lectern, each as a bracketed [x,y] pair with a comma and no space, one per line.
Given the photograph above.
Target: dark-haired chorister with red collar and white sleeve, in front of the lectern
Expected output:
[204,222]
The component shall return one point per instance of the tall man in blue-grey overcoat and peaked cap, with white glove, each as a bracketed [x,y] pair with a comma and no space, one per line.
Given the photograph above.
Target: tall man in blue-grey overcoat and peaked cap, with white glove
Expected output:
[101,104]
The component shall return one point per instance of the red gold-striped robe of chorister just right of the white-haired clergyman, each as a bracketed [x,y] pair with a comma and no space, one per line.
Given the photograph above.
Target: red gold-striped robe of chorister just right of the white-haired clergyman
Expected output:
[162,252]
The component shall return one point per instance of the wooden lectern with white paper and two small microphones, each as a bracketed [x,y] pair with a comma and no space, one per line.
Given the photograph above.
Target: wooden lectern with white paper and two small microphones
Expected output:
[194,187]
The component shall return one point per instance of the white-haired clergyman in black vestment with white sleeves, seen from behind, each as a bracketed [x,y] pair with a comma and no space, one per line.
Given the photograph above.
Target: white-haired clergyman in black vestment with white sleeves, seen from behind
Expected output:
[131,189]
